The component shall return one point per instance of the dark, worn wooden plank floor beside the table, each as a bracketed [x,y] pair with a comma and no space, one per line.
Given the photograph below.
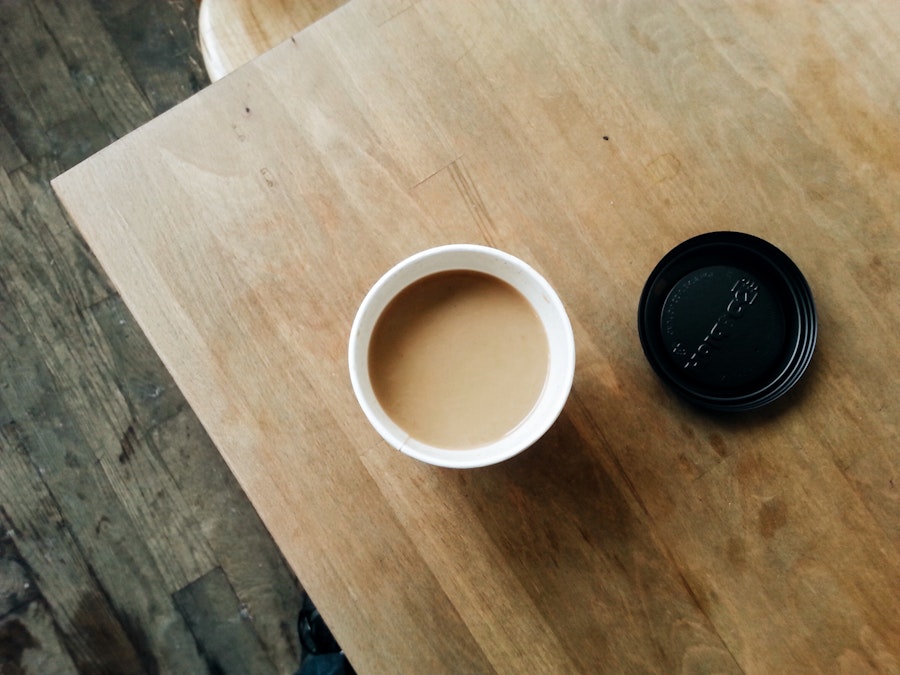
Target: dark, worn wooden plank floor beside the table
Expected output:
[125,543]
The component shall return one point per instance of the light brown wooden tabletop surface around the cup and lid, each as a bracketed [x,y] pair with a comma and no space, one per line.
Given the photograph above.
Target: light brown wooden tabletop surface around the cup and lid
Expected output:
[244,227]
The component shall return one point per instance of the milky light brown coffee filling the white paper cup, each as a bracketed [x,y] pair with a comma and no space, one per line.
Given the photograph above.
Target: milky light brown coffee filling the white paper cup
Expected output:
[458,359]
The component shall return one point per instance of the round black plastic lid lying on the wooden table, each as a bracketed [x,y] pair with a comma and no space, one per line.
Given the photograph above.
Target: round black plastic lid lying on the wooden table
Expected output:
[727,321]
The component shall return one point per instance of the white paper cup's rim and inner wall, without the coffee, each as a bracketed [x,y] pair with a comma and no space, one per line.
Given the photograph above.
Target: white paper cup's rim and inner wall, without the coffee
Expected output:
[520,276]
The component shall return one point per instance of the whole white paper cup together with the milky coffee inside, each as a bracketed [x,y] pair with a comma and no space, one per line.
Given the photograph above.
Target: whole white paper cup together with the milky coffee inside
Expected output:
[461,356]
